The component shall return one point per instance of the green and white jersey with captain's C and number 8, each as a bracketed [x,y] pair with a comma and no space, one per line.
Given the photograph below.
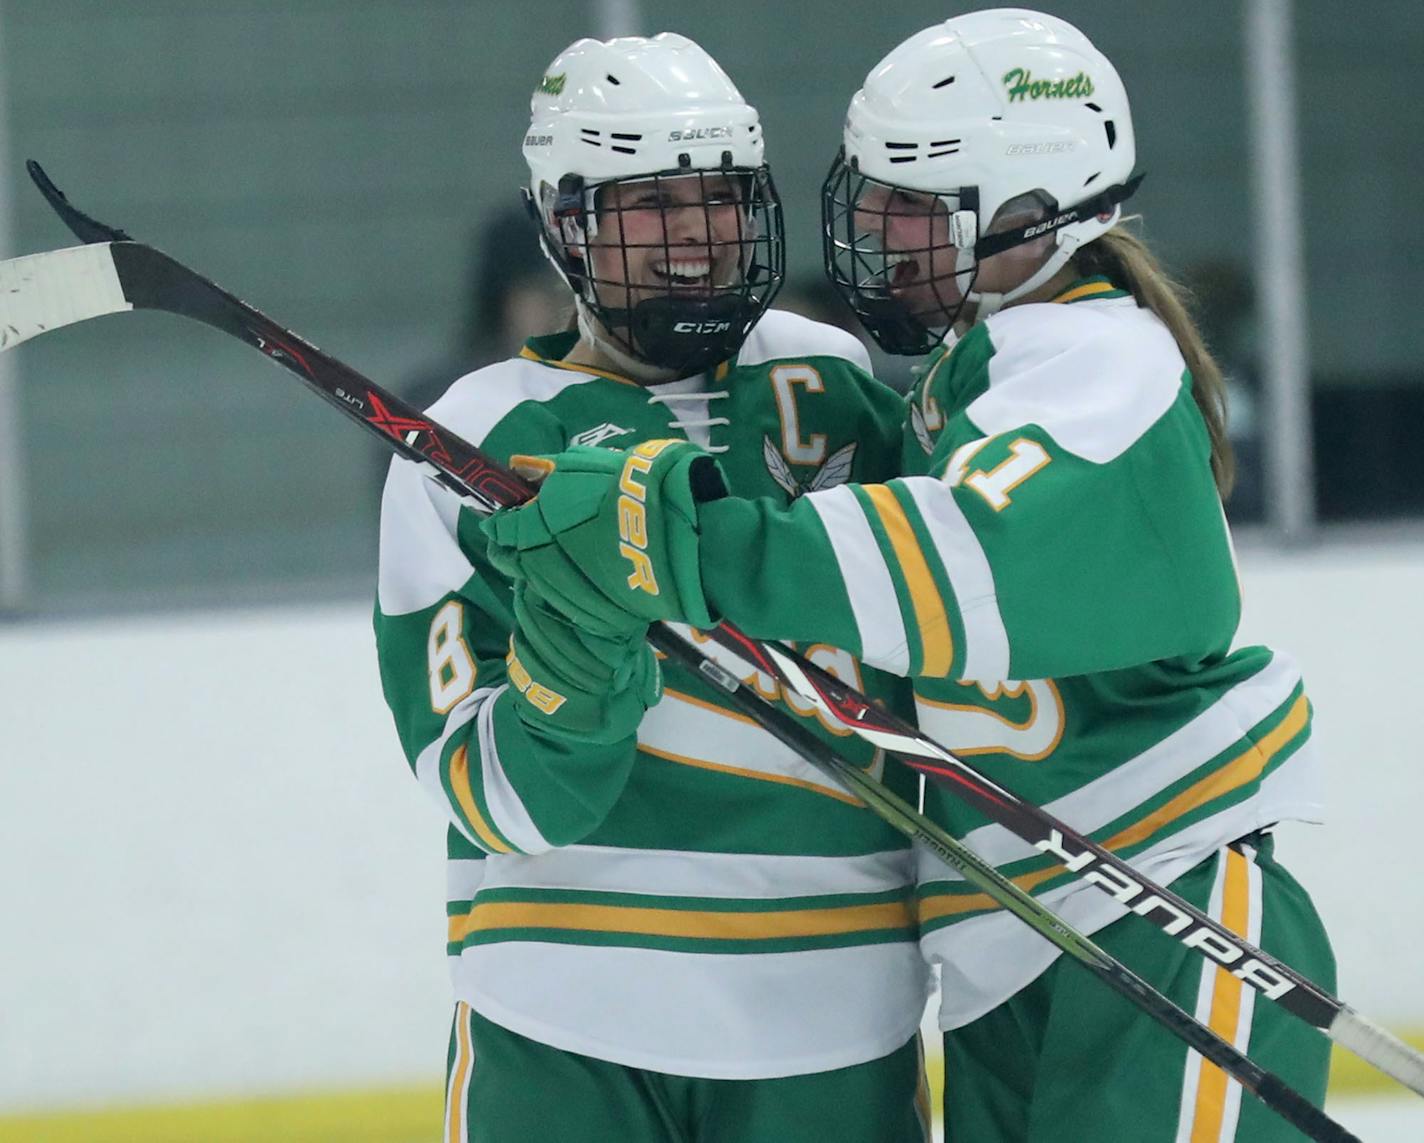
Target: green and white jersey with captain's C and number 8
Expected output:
[707,905]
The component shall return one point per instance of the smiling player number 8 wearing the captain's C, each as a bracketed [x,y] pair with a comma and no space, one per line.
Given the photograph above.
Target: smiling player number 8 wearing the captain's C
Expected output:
[663,925]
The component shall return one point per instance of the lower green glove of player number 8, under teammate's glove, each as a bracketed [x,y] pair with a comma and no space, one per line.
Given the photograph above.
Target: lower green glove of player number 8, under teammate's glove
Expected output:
[576,684]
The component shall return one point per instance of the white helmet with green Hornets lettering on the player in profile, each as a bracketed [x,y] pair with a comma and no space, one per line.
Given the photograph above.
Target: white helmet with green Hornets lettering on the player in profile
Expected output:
[980,112]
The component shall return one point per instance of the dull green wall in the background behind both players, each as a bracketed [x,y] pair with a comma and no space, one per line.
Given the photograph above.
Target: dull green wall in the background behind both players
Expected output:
[331,162]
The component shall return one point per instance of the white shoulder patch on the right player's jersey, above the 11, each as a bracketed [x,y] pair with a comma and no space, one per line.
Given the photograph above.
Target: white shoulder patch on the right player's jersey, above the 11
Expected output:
[1096,375]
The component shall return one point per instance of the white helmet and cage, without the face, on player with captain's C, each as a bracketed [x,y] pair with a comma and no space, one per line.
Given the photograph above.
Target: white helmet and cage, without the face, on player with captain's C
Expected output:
[636,109]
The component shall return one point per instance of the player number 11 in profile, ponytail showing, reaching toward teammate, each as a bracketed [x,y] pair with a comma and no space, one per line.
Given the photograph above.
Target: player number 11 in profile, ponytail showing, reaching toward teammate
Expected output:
[1054,571]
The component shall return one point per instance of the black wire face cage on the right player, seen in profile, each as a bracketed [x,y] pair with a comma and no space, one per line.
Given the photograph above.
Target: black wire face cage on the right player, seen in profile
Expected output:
[888,254]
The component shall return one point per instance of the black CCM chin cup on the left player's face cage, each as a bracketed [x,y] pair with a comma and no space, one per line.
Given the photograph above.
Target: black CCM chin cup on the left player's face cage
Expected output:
[689,335]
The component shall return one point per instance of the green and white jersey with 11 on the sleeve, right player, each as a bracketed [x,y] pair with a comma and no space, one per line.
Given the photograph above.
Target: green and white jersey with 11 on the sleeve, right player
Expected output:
[1056,573]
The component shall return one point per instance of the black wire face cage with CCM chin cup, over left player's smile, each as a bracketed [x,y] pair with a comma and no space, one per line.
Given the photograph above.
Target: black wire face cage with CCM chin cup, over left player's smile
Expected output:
[677,265]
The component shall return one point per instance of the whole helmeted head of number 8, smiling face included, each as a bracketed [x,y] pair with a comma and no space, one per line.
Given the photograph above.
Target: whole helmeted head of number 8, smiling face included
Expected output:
[654,200]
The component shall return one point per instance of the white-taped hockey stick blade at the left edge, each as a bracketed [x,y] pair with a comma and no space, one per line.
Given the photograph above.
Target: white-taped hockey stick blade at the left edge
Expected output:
[49,291]
